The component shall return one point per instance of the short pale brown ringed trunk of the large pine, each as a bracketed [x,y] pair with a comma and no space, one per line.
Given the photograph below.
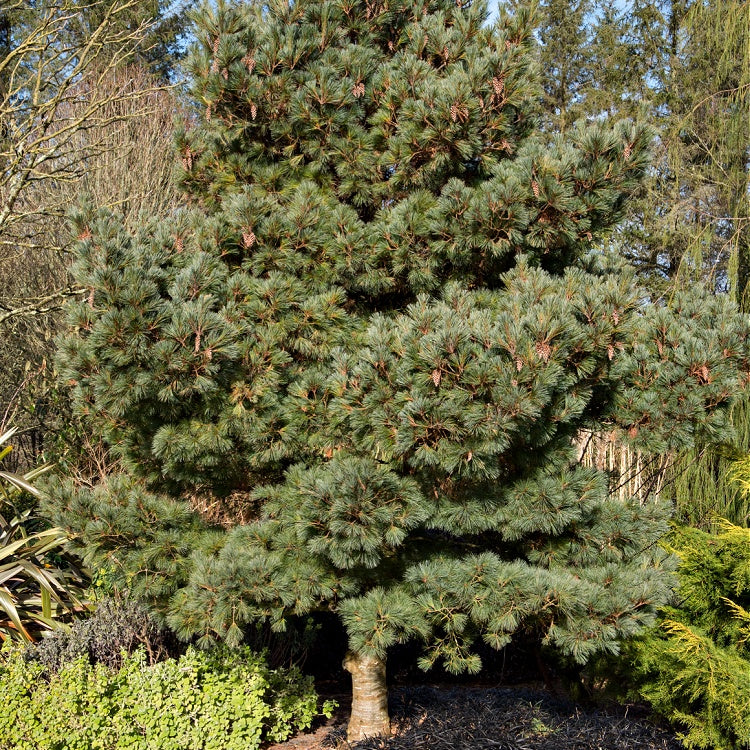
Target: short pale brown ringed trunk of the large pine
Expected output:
[369,697]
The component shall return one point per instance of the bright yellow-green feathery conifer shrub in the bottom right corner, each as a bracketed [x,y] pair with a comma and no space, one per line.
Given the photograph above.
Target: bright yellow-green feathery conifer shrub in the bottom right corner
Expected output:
[694,667]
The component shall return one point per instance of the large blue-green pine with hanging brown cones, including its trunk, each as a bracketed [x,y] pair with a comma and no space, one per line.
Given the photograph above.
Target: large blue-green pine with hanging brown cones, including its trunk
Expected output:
[374,337]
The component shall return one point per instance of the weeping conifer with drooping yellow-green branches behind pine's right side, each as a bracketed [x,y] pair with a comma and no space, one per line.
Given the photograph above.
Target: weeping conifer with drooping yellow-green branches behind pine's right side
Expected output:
[707,144]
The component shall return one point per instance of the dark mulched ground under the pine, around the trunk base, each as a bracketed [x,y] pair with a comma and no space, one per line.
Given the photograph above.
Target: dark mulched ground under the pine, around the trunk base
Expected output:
[461,718]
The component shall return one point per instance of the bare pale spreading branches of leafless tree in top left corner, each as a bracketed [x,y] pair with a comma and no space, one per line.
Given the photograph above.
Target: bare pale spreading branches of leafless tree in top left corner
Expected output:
[54,95]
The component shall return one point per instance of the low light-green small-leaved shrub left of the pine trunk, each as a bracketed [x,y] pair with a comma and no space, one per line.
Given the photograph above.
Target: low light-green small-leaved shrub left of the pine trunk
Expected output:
[219,700]
